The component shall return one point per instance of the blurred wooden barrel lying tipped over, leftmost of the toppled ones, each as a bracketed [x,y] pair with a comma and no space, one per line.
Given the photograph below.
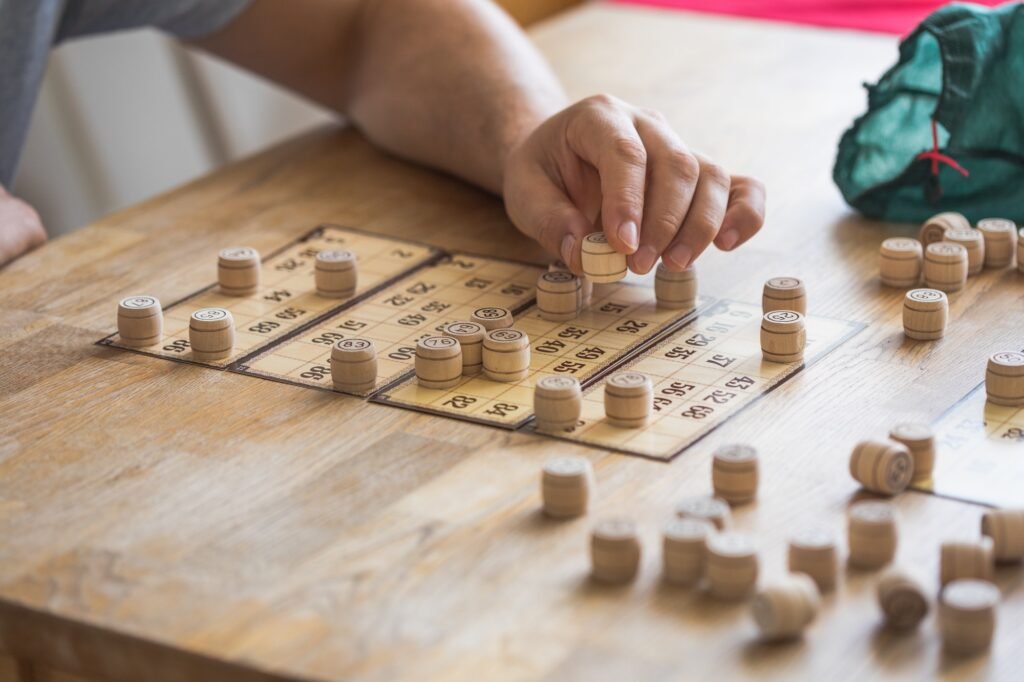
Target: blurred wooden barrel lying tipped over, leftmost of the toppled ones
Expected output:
[785,609]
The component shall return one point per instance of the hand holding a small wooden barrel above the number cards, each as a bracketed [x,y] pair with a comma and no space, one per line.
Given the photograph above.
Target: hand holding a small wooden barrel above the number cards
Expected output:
[603,157]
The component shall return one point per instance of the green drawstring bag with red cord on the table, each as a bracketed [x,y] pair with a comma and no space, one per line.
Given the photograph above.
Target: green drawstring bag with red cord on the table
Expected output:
[945,129]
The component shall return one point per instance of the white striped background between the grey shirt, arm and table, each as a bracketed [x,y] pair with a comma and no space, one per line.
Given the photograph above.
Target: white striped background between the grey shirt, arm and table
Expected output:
[123,117]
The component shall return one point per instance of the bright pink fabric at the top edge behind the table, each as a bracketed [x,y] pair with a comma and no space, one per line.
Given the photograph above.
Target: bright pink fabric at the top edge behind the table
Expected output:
[897,17]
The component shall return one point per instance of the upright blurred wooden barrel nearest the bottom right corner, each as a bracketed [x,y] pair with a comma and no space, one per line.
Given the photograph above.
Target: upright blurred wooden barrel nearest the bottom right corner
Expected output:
[967,617]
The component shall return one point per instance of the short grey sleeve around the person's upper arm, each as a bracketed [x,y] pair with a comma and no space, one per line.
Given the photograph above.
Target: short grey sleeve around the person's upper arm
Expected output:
[185,19]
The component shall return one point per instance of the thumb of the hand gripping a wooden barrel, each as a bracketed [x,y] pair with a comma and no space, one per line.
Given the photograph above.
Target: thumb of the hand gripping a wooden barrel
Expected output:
[542,211]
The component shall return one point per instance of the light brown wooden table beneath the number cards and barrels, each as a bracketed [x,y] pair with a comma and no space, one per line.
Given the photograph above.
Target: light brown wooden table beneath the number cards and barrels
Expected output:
[161,522]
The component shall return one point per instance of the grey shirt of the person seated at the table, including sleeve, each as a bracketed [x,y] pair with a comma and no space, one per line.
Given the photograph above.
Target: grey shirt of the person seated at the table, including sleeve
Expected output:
[30,28]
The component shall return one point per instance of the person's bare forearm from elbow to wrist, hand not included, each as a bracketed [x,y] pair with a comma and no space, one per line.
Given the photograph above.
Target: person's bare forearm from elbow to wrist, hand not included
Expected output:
[449,83]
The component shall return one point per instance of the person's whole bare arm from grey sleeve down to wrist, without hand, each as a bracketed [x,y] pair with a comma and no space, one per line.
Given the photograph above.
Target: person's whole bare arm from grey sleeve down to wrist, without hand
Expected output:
[453,84]
